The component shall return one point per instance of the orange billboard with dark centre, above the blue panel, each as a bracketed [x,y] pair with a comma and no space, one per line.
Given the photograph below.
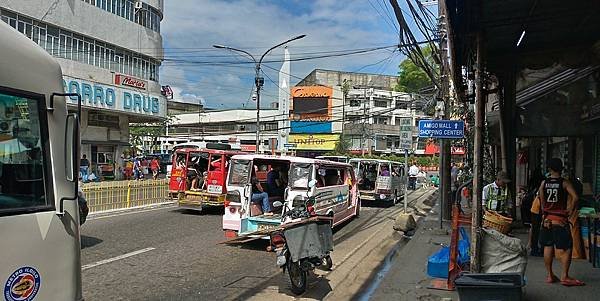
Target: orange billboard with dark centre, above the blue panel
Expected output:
[312,103]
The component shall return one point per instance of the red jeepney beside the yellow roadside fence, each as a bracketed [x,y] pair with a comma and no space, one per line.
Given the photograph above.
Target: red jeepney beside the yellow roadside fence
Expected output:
[198,177]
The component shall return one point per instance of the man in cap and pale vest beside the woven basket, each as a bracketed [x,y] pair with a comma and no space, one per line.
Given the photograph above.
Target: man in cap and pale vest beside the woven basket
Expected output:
[496,196]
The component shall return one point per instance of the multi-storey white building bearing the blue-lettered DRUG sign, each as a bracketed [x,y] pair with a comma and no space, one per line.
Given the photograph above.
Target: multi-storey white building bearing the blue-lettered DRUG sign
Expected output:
[110,52]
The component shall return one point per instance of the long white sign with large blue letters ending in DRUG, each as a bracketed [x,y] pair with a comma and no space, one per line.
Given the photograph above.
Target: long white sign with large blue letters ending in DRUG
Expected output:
[95,95]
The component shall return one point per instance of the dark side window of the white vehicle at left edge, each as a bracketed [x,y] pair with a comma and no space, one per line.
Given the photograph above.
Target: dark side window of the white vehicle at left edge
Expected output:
[21,156]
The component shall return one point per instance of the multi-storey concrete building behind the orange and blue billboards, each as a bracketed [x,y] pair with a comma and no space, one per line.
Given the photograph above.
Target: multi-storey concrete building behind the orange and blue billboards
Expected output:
[368,115]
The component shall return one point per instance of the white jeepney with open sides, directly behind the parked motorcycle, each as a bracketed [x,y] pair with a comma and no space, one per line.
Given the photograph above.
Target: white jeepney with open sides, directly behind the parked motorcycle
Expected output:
[335,191]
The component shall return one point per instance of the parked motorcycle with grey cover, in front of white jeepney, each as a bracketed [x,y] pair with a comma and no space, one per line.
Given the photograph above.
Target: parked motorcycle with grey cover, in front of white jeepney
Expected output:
[303,243]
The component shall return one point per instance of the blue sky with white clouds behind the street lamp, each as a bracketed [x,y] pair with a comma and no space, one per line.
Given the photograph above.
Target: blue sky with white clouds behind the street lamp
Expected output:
[222,79]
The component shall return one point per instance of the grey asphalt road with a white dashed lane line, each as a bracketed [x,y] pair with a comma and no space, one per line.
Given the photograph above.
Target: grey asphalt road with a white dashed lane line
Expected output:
[172,254]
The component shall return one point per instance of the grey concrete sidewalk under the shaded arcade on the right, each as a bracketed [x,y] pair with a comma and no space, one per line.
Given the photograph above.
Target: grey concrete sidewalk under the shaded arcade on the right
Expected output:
[407,278]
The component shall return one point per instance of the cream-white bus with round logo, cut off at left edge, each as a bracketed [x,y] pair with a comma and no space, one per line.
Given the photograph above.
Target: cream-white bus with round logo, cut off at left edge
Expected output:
[39,163]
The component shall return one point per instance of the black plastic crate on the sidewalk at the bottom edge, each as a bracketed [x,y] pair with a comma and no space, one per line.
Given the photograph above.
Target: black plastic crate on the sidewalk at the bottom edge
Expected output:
[497,287]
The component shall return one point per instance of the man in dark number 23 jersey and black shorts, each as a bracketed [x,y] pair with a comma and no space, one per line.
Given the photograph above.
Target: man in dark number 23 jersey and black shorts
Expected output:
[558,200]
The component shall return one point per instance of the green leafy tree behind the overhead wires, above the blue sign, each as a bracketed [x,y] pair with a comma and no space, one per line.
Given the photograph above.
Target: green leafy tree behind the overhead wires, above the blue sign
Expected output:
[412,78]
